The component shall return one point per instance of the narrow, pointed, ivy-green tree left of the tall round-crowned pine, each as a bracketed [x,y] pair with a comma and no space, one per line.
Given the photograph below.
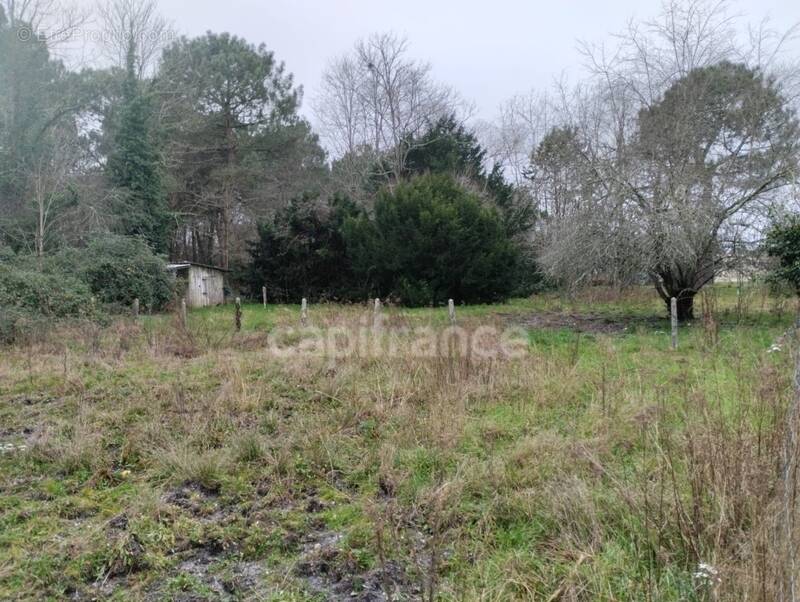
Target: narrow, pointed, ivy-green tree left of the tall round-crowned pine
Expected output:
[134,167]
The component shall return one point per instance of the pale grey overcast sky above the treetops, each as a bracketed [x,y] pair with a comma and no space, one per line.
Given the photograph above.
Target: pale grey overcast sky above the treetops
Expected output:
[488,50]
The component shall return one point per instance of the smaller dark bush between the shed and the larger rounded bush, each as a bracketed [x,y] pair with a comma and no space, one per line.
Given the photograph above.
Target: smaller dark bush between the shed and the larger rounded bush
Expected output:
[301,252]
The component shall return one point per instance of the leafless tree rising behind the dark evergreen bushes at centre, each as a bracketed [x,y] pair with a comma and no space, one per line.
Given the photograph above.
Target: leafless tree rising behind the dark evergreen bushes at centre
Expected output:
[374,100]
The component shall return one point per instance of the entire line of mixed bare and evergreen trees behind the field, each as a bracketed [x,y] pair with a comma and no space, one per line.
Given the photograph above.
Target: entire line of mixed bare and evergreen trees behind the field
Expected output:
[665,163]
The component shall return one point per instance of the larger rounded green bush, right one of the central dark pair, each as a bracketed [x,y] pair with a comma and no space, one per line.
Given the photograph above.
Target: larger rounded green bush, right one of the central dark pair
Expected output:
[431,239]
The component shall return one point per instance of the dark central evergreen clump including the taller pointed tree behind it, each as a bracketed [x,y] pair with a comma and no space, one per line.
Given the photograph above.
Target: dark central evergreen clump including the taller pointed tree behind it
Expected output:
[439,228]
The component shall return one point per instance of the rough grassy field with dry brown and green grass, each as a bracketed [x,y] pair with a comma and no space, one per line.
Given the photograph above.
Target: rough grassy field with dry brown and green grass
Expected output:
[156,461]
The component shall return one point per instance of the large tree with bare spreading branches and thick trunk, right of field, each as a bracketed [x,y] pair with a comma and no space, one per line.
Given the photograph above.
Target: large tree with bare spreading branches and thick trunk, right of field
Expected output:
[686,136]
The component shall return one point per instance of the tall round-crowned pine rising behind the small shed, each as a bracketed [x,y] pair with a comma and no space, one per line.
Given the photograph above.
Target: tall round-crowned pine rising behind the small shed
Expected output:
[233,132]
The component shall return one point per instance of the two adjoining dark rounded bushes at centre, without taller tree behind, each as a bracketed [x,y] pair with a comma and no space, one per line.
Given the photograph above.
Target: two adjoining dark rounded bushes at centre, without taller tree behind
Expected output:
[429,239]
